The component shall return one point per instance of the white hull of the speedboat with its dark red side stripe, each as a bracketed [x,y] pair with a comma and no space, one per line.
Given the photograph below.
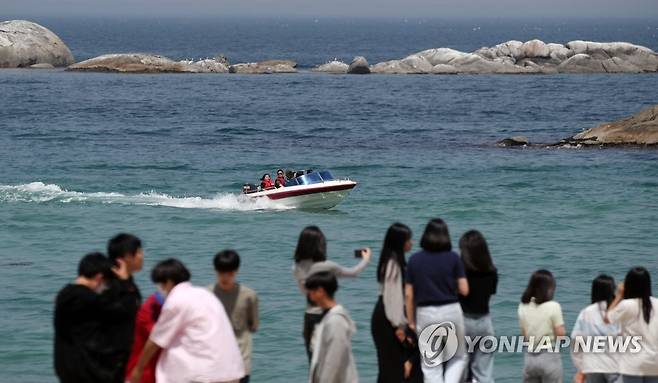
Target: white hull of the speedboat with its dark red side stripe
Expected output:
[324,195]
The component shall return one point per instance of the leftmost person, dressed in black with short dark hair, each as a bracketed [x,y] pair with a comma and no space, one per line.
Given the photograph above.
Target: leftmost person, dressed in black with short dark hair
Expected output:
[79,318]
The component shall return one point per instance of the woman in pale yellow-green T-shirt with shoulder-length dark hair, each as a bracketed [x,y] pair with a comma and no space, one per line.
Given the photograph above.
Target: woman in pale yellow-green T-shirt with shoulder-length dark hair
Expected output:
[541,321]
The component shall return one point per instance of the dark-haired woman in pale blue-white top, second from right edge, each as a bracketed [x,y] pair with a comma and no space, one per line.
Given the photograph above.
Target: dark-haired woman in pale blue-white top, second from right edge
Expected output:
[596,367]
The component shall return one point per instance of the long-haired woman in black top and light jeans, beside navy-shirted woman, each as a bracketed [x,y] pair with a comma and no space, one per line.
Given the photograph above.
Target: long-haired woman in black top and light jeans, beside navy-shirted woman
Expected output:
[482,279]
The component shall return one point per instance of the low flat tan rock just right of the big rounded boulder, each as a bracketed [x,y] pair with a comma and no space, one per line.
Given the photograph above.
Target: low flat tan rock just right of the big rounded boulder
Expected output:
[147,63]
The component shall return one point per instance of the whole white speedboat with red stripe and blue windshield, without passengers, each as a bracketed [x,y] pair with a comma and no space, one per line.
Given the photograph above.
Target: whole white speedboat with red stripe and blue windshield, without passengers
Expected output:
[315,190]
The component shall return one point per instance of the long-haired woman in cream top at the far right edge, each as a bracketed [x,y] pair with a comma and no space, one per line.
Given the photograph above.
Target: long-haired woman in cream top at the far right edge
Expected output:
[634,310]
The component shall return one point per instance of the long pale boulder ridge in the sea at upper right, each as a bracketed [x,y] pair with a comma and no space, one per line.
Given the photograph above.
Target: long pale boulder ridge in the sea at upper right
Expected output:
[530,57]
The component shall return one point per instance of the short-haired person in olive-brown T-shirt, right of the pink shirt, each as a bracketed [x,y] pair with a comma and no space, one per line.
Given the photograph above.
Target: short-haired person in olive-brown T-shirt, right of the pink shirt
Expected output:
[240,303]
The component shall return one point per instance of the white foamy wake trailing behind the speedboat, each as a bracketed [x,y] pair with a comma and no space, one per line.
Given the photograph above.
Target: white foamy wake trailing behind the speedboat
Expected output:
[39,192]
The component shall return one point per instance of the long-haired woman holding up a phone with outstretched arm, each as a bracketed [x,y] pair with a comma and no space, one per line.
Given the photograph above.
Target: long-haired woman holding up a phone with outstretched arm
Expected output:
[311,257]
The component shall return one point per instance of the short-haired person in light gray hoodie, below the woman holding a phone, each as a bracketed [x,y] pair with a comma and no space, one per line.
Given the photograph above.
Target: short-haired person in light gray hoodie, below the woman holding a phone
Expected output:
[331,344]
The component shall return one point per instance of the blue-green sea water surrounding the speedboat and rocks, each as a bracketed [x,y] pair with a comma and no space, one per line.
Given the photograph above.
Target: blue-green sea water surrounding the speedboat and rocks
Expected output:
[86,155]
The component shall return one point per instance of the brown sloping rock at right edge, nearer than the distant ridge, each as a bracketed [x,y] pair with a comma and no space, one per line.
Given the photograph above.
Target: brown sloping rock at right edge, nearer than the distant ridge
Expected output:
[638,129]
